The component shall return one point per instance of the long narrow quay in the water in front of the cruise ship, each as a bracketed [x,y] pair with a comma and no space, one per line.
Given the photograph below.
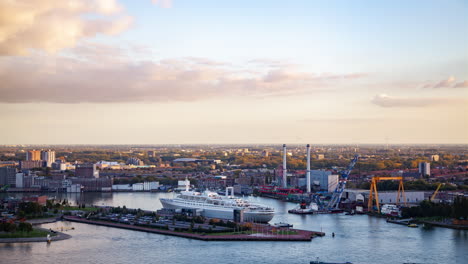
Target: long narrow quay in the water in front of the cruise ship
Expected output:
[299,235]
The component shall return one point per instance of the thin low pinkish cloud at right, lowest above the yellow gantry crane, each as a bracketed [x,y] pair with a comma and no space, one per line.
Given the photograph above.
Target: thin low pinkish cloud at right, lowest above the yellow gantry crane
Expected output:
[384,100]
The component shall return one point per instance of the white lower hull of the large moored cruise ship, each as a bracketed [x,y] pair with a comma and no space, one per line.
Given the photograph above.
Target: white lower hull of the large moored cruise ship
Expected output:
[220,212]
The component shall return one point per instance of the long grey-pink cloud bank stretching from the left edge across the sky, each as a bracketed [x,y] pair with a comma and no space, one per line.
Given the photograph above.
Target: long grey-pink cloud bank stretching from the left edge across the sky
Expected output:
[100,73]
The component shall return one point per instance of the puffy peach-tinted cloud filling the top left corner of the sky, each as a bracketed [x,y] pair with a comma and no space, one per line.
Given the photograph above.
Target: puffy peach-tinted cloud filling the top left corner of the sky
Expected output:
[52,25]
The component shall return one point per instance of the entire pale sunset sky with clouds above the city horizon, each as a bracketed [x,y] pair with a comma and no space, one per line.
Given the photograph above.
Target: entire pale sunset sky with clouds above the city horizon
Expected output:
[234,72]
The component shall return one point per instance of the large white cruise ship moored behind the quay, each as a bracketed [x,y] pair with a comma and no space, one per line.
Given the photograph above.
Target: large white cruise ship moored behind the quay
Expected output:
[214,205]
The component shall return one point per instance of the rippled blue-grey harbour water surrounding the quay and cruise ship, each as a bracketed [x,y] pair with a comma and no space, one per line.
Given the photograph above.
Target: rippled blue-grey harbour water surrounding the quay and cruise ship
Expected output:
[359,239]
